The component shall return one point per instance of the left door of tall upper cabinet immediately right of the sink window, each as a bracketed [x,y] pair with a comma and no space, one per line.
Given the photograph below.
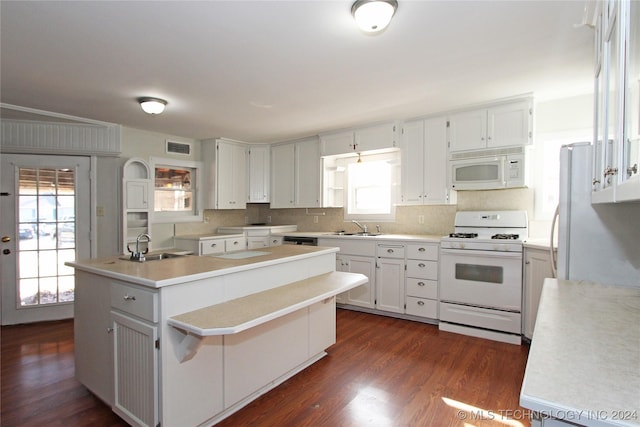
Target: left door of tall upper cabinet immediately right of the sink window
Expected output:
[413,157]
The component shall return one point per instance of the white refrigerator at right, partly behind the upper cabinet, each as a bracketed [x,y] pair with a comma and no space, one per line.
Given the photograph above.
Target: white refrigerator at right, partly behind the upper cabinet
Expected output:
[599,243]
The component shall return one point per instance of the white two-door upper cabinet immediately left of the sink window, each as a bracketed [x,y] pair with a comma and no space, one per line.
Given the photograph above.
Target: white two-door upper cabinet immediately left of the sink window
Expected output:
[295,174]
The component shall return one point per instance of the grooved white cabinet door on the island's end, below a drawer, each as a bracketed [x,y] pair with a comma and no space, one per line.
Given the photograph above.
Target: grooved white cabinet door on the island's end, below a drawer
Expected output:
[135,370]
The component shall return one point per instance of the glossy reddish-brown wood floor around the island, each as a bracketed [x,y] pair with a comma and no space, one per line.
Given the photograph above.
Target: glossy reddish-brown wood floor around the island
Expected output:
[381,372]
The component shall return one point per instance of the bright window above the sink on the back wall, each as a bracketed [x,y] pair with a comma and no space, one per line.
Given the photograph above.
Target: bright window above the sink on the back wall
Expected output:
[371,183]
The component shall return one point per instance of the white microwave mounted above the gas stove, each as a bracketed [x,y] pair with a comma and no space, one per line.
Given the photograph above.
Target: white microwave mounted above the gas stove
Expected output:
[487,170]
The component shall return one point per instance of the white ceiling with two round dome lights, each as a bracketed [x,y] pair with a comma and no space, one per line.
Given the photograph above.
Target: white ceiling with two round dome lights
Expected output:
[264,71]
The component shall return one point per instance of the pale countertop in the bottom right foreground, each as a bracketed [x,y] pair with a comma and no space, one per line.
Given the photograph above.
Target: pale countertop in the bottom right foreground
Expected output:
[584,362]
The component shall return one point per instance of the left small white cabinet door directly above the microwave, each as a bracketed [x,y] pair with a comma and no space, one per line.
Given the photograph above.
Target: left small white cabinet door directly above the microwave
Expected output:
[468,130]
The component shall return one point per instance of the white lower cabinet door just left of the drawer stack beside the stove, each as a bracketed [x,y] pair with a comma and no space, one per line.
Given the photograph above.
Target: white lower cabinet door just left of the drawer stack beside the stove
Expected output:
[390,285]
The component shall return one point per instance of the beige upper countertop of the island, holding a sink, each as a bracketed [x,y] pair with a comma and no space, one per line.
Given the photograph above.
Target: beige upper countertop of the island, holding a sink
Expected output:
[174,271]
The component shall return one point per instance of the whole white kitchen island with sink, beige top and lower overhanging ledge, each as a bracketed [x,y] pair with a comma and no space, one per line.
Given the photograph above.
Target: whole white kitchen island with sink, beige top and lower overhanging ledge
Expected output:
[187,341]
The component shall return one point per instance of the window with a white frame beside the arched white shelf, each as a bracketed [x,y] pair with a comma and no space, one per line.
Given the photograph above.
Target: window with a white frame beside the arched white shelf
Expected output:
[175,190]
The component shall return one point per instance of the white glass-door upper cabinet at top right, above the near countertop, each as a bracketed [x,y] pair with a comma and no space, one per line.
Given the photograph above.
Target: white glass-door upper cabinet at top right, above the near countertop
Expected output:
[617,103]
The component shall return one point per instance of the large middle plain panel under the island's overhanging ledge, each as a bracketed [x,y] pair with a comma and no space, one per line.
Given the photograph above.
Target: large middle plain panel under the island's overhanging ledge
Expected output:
[260,355]
